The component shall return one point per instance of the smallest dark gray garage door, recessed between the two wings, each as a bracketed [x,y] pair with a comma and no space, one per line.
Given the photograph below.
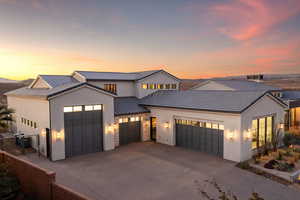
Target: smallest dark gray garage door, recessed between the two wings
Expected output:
[129,132]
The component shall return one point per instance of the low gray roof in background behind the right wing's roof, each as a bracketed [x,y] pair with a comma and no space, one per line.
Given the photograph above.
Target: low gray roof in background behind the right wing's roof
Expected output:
[241,85]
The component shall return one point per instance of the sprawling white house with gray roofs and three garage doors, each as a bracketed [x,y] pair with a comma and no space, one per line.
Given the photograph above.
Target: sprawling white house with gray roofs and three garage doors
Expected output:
[89,112]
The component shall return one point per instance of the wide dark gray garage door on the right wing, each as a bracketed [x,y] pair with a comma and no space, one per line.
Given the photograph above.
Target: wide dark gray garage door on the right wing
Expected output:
[200,136]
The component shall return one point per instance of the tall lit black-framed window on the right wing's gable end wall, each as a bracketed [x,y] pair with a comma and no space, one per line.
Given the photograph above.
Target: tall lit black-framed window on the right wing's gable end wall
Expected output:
[262,131]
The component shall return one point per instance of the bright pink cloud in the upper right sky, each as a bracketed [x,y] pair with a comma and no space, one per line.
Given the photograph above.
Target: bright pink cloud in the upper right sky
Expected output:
[247,19]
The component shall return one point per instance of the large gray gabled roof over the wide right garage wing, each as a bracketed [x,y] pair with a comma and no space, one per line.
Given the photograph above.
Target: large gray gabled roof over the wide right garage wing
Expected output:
[217,101]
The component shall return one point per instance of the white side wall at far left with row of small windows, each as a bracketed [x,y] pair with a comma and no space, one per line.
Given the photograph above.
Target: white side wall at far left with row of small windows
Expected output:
[36,110]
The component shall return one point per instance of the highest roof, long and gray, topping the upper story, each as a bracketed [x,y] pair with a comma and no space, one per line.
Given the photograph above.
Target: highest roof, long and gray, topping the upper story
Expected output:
[121,76]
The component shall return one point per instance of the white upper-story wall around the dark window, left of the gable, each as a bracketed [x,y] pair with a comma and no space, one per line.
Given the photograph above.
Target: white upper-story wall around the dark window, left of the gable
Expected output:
[124,88]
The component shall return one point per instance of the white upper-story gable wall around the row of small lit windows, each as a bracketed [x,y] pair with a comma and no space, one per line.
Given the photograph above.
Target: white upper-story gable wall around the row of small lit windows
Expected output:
[158,78]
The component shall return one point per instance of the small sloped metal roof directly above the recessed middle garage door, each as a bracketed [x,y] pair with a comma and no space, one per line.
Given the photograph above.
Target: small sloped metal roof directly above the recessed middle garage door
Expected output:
[128,105]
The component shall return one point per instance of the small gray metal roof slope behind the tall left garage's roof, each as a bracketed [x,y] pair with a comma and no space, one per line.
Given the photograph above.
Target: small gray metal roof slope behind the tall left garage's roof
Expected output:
[58,80]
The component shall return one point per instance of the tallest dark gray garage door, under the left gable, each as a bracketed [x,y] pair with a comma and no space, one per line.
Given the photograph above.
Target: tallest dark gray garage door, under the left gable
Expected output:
[83,132]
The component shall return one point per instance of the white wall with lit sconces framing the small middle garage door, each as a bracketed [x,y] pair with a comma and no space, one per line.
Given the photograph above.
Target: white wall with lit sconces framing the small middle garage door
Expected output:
[145,127]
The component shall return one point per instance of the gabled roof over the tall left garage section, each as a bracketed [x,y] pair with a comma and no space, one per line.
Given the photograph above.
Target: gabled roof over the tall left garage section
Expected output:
[48,93]
